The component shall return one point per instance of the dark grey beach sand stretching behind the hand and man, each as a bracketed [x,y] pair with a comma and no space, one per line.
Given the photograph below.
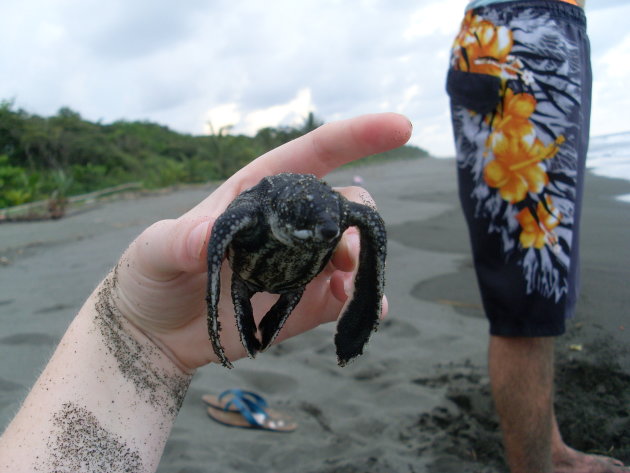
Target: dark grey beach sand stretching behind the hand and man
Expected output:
[417,401]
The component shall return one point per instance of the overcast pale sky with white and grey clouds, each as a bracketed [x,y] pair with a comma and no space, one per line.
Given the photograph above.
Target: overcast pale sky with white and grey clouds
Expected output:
[255,63]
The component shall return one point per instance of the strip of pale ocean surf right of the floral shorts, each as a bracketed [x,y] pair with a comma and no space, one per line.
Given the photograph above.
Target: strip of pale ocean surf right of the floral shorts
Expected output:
[609,156]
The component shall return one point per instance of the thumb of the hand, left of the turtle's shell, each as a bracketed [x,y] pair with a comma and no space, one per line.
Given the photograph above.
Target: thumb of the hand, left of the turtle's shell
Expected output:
[170,247]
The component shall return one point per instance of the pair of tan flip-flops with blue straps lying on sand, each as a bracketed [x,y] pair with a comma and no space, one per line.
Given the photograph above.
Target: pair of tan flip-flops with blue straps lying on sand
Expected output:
[247,410]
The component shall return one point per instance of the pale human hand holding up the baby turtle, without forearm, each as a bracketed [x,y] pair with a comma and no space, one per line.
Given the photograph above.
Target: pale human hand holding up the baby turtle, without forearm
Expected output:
[161,279]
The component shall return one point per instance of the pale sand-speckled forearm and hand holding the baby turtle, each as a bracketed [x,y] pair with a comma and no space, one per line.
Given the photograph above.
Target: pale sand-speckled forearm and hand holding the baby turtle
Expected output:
[109,395]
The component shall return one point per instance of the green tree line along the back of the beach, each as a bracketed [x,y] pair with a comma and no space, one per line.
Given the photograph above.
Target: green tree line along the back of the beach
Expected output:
[63,155]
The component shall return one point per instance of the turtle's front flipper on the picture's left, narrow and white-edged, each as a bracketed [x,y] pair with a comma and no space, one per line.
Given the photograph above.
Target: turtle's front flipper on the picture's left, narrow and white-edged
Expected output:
[225,228]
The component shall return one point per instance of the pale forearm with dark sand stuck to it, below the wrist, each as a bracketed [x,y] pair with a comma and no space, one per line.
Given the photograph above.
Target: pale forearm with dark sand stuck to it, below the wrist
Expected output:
[105,402]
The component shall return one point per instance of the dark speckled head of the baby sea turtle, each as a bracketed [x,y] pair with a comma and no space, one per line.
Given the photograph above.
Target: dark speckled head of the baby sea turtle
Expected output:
[304,210]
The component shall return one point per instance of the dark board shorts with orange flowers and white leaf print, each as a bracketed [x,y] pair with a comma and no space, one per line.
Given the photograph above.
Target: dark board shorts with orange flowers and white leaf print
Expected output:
[520,89]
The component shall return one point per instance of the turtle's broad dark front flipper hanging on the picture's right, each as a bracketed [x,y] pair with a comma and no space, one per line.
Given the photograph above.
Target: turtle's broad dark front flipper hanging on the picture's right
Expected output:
[362,315]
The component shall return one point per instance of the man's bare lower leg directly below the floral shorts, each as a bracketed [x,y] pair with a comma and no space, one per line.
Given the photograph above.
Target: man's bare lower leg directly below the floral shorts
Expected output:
[521,376]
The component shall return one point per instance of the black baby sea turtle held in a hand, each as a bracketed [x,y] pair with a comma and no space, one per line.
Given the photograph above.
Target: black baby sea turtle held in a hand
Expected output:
[278,235]
